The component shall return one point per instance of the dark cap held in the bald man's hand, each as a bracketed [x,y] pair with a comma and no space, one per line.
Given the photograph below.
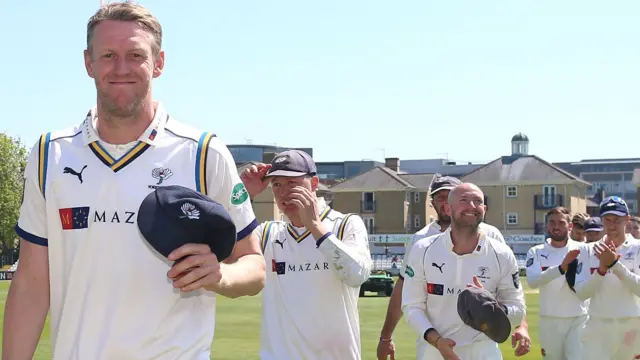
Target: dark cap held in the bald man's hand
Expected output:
[480,310]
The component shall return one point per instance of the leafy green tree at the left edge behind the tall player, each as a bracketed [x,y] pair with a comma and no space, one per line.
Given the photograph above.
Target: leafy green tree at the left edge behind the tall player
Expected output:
[13,161]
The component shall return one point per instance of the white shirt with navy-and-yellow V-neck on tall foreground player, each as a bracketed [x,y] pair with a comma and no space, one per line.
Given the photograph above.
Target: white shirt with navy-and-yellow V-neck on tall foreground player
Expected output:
[110,295]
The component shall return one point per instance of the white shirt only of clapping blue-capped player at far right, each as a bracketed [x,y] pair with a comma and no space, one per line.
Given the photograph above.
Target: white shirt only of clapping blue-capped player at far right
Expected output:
[617,293]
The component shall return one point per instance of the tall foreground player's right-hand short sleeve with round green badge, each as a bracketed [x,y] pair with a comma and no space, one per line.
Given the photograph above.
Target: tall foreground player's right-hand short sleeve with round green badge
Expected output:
[224,186]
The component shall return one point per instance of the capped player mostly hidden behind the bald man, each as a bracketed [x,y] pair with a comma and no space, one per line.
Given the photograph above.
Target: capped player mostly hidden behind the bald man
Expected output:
[439,190]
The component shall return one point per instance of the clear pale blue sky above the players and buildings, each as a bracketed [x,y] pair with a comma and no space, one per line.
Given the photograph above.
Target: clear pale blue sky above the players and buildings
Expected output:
[357,79]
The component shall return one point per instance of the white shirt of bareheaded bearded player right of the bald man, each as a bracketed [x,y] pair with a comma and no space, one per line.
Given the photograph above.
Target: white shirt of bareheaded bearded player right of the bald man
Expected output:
[543,272]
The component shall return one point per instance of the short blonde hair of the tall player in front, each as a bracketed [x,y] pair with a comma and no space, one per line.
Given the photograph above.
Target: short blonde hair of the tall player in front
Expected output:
[126,11]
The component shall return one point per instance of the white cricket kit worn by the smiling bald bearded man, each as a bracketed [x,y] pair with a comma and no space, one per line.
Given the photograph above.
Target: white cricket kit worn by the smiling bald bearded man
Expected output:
[434,278]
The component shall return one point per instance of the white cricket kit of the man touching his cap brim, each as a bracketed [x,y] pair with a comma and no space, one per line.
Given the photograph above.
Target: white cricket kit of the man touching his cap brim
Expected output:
[310,301]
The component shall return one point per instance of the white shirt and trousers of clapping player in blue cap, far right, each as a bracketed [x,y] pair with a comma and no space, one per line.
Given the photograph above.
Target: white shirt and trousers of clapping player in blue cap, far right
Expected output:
[613,329]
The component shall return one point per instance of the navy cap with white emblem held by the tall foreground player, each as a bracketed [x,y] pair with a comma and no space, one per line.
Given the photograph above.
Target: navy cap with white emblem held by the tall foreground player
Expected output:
[172,216]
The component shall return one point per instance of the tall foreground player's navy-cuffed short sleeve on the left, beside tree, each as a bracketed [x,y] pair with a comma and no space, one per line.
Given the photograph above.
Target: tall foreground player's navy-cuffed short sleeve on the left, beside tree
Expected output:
[32,223]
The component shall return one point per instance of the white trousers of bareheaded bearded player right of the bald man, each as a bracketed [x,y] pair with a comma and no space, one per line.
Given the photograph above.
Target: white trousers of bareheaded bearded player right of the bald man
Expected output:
[560,338]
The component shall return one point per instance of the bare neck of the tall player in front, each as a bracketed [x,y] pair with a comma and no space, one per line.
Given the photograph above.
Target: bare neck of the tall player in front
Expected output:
[123,130]
